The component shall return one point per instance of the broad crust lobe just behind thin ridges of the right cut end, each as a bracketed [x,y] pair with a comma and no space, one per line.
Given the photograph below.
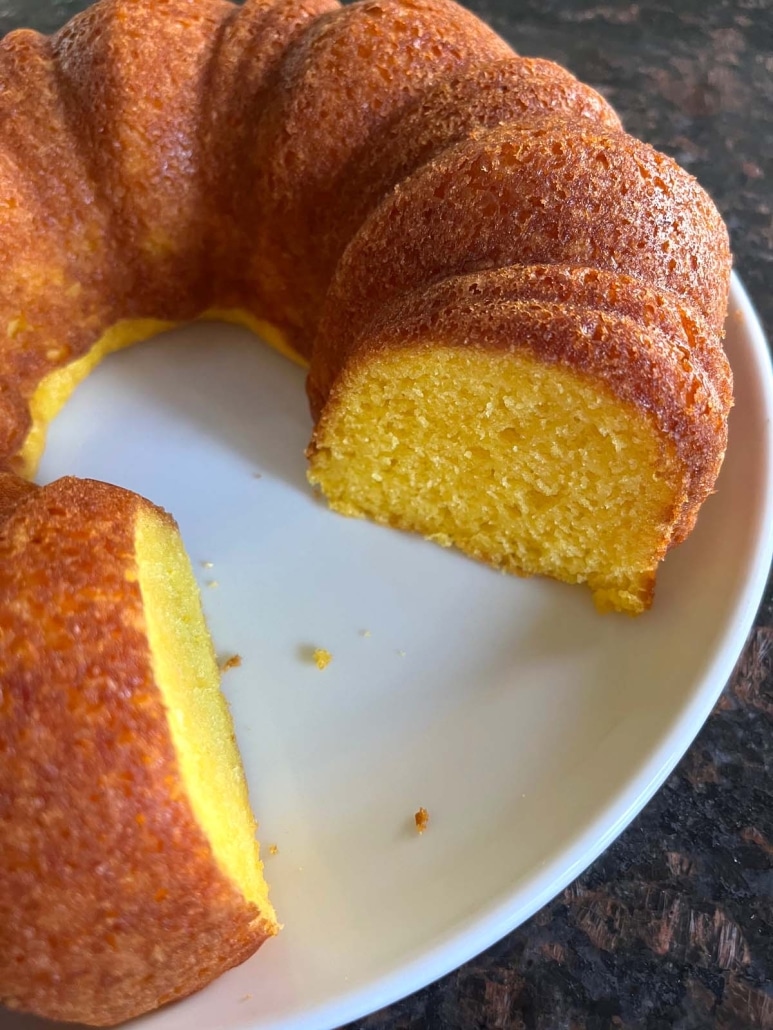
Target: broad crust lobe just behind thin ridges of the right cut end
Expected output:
[547,193]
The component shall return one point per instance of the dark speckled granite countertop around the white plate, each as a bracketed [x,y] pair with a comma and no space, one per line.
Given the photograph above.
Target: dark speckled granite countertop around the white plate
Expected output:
[673,928]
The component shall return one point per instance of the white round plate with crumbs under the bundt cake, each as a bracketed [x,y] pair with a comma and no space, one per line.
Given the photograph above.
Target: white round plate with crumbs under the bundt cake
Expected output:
[531,729]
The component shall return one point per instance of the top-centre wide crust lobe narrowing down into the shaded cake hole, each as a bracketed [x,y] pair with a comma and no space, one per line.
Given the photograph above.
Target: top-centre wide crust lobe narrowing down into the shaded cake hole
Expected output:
[349,76]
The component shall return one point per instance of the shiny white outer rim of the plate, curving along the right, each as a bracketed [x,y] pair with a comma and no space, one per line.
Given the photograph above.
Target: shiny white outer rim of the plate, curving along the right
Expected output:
[502,917]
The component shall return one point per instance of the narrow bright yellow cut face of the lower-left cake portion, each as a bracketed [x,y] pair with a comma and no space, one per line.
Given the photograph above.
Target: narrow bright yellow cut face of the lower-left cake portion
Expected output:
[200,724]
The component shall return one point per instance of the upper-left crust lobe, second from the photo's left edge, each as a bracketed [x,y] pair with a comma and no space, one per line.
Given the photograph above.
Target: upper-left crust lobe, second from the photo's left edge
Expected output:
[147,157]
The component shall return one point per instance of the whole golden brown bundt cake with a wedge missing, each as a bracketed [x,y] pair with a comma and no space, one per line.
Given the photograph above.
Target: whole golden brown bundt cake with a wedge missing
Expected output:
[512,313]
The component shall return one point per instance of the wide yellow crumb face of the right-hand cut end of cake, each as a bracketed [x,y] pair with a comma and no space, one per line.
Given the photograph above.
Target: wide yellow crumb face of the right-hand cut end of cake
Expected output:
[528,467]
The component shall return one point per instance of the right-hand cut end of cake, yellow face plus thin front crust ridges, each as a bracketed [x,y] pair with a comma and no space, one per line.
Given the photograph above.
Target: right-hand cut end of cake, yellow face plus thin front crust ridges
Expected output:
[539,435]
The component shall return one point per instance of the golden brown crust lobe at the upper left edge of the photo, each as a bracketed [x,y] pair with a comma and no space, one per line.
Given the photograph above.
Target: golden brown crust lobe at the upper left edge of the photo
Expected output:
[56,291]
